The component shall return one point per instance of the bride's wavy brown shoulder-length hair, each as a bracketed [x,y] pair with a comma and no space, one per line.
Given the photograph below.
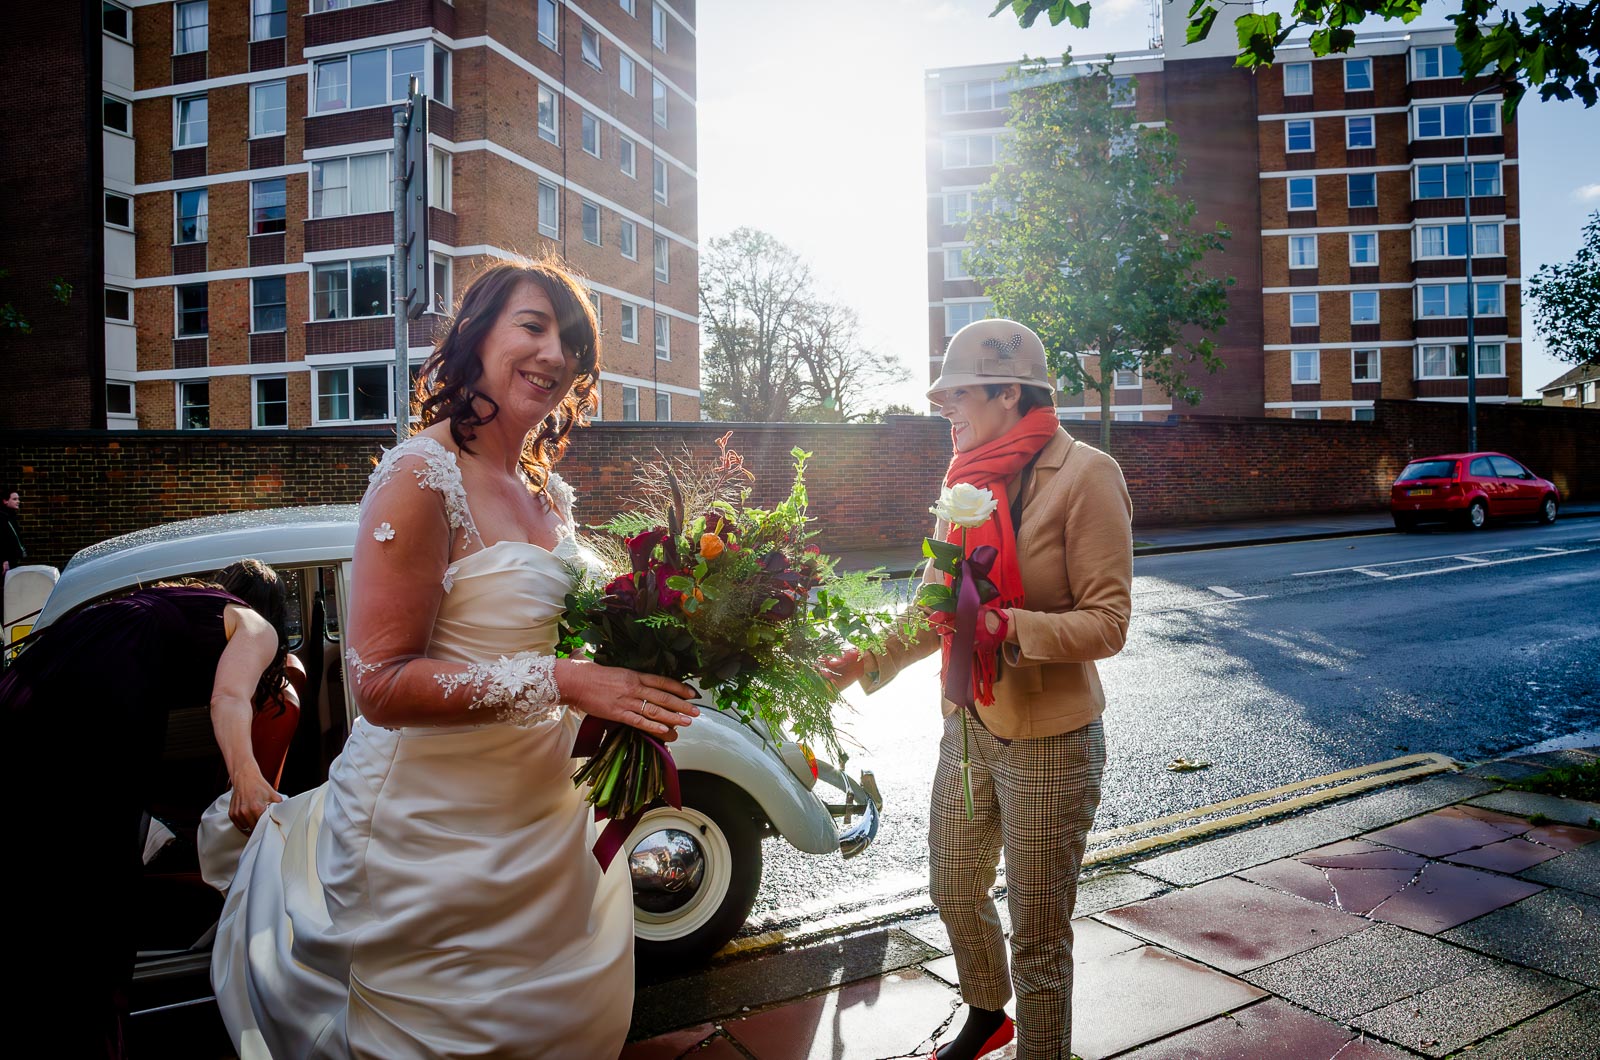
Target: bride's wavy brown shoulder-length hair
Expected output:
[446,387]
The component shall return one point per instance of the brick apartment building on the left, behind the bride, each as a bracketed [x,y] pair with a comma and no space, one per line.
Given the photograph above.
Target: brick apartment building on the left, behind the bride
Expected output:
[244,188]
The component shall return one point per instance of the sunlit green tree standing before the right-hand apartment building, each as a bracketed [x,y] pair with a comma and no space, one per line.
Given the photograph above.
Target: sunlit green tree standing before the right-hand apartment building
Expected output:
[1090,241]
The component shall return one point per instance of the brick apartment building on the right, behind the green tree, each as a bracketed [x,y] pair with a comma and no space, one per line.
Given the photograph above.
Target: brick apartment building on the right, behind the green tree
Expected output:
[1342,182]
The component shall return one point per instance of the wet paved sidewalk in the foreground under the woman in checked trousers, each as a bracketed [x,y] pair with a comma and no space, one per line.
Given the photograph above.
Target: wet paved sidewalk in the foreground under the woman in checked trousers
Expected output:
[1415,921]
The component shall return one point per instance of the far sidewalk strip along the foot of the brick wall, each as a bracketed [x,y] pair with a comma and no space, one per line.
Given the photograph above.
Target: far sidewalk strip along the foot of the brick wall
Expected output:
[1191,539]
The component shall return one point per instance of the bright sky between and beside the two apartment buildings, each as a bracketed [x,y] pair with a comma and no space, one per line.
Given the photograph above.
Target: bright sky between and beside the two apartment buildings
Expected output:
[812,127]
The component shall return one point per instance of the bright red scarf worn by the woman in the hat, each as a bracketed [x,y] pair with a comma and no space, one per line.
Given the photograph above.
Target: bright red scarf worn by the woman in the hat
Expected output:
[991,467]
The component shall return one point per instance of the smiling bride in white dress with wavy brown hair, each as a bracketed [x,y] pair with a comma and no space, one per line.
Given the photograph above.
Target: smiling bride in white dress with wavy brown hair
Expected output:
[438,896]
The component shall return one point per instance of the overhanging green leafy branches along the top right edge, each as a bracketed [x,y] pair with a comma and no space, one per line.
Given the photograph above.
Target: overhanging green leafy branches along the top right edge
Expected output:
[1551,47]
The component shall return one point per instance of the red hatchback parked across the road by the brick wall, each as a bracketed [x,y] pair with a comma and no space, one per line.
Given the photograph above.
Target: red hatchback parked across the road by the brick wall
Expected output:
[1473,489]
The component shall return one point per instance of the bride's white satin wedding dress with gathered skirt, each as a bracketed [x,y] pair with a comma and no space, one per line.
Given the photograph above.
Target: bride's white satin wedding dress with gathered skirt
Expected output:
[438,896]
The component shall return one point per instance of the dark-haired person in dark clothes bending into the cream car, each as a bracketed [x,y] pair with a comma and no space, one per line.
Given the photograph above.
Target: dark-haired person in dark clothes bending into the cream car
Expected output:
[86,707]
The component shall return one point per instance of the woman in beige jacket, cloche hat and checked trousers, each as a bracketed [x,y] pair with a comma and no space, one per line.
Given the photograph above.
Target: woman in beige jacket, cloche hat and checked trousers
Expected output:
[1039,752]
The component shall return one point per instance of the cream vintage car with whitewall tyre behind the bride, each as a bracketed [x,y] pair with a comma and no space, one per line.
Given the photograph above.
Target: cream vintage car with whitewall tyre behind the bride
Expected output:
[695,870]
